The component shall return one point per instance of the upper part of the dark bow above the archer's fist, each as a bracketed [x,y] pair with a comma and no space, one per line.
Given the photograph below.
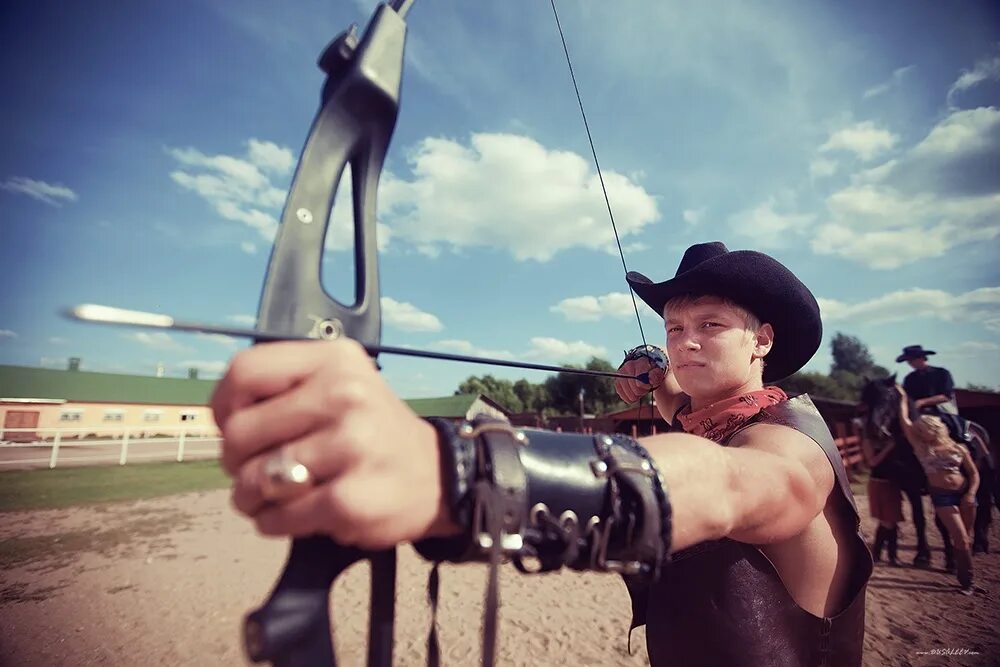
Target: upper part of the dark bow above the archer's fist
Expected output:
[360,104]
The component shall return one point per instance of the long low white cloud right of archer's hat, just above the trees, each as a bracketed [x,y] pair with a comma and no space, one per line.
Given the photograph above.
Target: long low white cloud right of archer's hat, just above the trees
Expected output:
[980,306]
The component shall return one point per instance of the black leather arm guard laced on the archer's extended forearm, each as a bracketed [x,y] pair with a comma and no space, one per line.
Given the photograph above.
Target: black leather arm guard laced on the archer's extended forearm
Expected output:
[546,500]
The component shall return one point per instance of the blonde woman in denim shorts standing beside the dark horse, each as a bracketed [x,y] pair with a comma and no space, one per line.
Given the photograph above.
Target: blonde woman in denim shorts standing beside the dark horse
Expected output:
[952,480]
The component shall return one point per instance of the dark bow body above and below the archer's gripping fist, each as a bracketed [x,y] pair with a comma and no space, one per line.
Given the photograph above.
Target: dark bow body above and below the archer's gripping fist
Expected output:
[360,102]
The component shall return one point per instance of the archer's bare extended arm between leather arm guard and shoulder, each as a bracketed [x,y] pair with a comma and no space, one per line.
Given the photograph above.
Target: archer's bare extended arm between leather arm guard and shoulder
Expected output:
[748,495]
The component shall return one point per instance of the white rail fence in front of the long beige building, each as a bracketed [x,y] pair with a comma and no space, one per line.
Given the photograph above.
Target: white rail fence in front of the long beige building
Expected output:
[69,446]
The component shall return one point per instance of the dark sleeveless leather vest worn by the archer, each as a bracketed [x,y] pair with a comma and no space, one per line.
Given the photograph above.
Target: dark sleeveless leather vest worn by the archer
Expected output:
[723,603]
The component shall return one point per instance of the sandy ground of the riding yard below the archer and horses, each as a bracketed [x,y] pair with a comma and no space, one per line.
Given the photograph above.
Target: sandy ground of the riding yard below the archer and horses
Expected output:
[167,581]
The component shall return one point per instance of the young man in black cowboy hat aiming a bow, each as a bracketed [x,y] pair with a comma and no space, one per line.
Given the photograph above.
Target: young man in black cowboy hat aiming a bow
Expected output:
[769,566]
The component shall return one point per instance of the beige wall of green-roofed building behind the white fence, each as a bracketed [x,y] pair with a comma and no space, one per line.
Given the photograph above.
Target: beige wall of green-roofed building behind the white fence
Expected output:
[105,419]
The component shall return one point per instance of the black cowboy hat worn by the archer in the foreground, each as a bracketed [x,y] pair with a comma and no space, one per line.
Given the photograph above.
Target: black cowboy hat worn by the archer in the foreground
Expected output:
[755,281]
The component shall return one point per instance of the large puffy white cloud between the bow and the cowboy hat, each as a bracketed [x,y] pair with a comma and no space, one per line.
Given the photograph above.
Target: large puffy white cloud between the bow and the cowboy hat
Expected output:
[509,192]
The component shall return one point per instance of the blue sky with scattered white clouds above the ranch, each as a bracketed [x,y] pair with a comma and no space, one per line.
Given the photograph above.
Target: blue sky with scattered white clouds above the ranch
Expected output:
[147,147]
